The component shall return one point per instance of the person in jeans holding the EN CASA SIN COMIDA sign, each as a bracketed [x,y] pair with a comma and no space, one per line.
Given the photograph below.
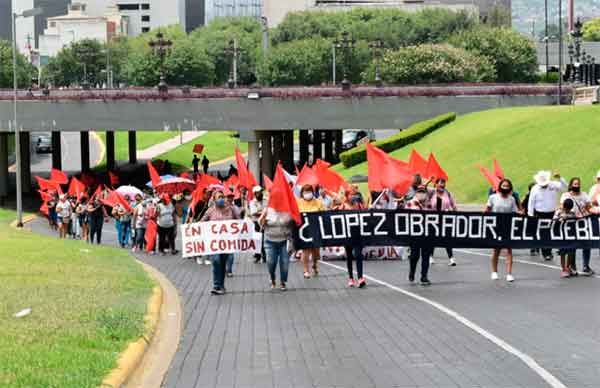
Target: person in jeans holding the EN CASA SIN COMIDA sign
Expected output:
[222,263]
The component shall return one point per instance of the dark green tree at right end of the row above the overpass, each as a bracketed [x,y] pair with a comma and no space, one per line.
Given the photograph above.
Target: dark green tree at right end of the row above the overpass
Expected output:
[513,55]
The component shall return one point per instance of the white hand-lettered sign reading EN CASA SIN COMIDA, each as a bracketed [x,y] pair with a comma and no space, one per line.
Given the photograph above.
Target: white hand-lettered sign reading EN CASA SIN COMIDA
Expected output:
[214,237]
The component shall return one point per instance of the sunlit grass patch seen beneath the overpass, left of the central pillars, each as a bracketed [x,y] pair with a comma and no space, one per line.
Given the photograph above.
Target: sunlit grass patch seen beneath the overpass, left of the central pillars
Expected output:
[218,145]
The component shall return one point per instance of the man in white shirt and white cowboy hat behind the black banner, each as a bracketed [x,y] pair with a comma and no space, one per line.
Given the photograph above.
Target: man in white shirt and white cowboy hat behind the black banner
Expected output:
[543,199]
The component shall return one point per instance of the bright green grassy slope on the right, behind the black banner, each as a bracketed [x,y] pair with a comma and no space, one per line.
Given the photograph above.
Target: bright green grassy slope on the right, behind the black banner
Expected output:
[524,140]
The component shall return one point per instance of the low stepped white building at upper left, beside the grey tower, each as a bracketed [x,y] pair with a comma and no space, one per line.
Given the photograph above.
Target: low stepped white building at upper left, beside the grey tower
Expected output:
[77,25]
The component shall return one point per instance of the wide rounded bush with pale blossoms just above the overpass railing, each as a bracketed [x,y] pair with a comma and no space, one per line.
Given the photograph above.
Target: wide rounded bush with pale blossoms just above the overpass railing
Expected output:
[432,63]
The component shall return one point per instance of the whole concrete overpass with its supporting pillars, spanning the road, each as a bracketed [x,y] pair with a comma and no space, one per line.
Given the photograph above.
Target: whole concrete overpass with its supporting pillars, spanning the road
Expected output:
[266,117]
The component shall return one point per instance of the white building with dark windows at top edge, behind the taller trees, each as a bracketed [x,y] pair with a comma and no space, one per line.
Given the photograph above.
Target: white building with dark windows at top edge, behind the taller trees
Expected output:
[144,15]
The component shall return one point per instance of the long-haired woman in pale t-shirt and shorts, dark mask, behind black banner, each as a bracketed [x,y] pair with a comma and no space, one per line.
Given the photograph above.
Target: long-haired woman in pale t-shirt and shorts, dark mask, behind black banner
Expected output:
[502,202]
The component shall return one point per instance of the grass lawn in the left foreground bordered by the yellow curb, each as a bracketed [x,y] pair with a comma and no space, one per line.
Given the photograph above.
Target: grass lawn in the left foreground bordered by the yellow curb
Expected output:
[87,304]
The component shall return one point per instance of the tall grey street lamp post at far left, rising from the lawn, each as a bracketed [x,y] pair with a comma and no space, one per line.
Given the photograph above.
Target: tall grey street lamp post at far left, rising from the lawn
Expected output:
[24,14]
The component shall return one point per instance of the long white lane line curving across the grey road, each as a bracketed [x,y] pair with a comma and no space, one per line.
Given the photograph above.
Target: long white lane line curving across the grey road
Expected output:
[527,359]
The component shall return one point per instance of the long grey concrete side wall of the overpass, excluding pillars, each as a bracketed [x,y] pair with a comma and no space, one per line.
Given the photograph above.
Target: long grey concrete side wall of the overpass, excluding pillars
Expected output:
[242,113]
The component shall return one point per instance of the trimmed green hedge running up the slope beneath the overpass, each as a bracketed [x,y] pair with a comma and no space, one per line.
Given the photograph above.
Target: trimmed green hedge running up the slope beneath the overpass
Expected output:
[410,135]
